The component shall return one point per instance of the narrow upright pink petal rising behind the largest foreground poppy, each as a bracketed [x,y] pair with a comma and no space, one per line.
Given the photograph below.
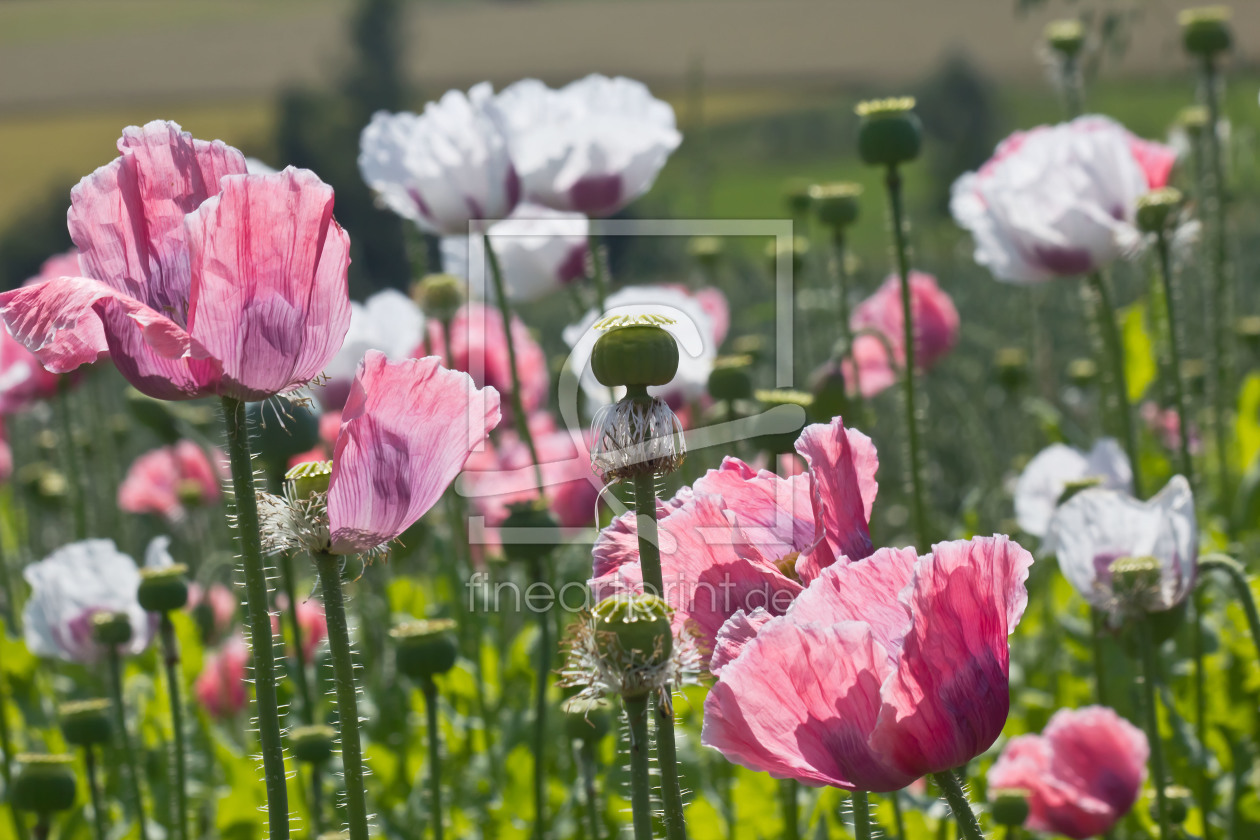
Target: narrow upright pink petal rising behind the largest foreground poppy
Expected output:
[842,463]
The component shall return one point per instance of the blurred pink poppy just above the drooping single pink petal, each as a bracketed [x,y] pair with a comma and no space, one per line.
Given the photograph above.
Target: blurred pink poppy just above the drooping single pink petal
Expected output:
[478,341]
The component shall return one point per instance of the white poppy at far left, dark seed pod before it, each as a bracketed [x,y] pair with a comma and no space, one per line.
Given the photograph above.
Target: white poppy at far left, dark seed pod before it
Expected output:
[72,585]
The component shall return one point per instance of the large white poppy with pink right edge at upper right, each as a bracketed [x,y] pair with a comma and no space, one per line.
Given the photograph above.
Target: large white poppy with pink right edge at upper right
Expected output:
[1059,200]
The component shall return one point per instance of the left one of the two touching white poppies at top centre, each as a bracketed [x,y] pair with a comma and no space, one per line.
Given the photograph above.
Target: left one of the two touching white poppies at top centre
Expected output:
[444,168]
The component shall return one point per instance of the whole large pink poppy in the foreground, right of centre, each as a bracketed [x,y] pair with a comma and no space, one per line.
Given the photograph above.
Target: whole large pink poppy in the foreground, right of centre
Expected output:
[883,671]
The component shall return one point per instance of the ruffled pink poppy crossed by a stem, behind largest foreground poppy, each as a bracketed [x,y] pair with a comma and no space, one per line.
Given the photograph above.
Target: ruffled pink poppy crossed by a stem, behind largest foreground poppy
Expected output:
[740,540]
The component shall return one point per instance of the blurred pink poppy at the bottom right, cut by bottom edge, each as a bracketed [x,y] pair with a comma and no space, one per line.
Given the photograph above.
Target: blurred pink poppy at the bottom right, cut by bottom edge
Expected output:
[1083,774]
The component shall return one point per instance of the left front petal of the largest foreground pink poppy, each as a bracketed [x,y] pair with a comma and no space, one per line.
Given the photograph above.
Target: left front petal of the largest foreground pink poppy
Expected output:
[801,703]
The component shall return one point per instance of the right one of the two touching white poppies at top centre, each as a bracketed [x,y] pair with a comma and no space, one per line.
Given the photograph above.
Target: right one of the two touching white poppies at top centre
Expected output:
[593,147]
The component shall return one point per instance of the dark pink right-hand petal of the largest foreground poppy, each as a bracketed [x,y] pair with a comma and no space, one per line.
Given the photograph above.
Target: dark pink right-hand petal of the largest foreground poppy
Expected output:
[951,695]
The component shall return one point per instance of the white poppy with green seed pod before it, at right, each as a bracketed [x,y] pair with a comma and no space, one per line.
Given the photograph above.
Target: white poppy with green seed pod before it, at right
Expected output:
[1098,527]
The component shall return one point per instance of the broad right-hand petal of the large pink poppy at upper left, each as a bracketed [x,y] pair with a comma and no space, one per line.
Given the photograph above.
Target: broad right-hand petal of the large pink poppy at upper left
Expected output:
[269,290]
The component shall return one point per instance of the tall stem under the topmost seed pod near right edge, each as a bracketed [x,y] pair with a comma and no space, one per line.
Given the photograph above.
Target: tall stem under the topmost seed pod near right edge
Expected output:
[1214,201]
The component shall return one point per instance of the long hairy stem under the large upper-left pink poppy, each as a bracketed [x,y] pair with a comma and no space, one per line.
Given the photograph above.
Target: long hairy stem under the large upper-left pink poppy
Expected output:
[260,619]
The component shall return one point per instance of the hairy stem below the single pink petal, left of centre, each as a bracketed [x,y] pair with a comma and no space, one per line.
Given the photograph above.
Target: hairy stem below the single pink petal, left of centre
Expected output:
[329,569]
